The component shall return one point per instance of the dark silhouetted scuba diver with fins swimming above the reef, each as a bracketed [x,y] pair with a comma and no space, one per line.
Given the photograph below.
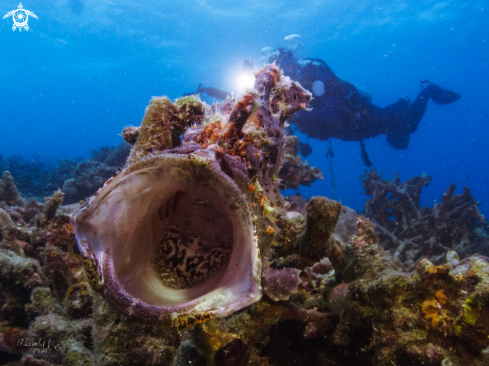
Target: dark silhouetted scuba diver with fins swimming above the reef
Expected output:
[340,111]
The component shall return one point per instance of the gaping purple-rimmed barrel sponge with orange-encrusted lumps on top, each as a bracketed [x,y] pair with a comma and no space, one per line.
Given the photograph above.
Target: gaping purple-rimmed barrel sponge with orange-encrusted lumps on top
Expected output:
[173,238]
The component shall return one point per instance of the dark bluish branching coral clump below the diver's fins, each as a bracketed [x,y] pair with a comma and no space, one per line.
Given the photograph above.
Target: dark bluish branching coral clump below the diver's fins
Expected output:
[411,232]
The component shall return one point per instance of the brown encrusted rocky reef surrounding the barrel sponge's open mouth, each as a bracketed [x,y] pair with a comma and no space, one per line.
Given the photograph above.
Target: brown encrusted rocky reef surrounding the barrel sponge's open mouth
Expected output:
[339,288]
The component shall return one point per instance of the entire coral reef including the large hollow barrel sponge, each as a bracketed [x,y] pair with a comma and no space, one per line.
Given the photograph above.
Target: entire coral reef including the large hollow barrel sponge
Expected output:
[326,285]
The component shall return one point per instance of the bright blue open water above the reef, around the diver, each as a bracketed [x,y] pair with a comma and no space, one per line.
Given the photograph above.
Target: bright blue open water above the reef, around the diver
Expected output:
[86,69]
